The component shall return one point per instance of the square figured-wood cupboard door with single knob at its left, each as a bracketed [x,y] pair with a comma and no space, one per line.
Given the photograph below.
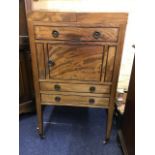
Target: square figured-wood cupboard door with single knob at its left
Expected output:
[75,62]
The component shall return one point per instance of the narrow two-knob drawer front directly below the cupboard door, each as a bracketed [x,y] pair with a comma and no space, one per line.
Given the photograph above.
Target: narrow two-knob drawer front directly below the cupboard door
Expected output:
[68,87]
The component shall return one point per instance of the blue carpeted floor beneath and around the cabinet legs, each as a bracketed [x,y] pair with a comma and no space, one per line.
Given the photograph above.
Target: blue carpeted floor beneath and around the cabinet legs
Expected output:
[68,131]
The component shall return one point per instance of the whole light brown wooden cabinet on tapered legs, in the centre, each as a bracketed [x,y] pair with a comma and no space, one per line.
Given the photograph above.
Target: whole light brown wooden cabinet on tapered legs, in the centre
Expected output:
[76,61]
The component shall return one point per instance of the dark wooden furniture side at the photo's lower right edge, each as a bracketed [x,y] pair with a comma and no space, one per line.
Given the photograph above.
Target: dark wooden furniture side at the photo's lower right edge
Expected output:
[127,131]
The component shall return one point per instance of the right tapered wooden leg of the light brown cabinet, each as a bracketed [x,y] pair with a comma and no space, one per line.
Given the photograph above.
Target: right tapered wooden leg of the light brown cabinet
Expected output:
[109,124]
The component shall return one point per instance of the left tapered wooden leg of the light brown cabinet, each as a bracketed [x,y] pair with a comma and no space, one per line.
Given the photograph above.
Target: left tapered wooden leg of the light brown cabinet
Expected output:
[40,121]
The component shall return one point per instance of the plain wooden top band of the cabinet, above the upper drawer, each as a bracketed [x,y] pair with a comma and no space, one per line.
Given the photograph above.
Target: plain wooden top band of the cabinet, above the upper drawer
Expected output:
[81,17]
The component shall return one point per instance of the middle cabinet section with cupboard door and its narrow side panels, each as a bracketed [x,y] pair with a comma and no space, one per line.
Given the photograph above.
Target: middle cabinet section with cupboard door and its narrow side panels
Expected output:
[76,62]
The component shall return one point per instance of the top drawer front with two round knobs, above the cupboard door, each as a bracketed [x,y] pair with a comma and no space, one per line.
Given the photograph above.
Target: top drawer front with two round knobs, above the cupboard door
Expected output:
[76,33]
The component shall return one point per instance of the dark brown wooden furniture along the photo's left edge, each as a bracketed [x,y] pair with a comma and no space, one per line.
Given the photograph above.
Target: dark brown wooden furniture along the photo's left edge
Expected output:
[26,91]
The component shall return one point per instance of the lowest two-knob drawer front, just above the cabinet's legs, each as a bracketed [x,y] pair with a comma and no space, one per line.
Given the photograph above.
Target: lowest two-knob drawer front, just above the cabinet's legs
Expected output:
[73,100]
